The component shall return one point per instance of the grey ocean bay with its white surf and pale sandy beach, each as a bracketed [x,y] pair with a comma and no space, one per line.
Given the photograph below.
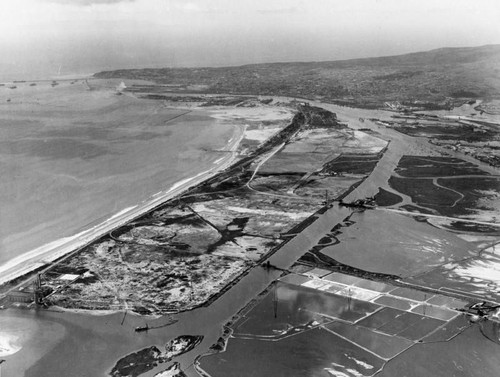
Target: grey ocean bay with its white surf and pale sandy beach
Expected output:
[66,198]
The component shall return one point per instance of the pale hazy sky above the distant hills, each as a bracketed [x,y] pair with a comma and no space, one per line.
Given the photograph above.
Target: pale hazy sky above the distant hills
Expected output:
[51,38]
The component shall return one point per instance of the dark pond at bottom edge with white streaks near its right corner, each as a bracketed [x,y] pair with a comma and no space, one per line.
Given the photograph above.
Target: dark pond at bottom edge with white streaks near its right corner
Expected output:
[317,352]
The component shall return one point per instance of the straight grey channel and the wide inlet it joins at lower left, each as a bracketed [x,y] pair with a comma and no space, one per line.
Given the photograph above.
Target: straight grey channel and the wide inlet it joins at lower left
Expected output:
[70,344]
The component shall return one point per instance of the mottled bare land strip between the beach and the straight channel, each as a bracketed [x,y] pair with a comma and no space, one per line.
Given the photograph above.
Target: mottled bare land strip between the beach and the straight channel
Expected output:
[185,252]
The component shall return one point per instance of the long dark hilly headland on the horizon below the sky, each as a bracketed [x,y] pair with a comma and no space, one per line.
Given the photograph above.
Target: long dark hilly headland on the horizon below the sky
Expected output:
[433,79]
